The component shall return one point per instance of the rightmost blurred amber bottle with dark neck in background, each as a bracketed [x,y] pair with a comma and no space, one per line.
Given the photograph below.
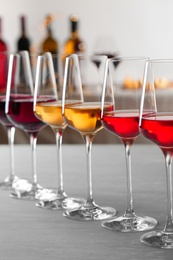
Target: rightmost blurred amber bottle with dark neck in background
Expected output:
[74,44]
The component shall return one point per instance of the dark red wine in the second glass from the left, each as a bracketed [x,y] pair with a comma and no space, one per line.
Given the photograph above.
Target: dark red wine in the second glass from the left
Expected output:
[21,113]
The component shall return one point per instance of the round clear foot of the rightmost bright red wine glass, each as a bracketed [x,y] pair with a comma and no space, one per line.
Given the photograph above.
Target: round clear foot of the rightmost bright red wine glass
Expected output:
[158,239]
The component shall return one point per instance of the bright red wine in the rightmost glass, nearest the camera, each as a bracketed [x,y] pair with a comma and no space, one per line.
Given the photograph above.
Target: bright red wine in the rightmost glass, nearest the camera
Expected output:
[159,129]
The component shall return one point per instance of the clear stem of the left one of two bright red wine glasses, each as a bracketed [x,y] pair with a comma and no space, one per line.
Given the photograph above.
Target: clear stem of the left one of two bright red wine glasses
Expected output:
[129,208]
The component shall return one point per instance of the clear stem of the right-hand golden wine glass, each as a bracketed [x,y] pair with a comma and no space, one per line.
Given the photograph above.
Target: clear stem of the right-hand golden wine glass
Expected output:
[88,141]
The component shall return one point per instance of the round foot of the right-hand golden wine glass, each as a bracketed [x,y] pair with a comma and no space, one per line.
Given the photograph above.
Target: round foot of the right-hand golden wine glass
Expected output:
[90,212]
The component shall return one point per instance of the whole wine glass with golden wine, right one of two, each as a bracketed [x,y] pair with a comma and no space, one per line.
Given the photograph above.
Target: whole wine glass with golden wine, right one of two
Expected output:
[81,111]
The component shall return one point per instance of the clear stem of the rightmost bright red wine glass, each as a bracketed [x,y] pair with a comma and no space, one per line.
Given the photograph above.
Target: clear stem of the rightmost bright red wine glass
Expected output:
[169,222]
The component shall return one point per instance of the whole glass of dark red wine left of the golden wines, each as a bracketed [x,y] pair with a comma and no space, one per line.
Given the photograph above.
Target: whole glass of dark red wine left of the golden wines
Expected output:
[19,111]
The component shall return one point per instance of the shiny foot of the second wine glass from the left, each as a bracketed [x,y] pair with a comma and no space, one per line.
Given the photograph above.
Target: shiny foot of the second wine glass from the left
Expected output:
[23,189]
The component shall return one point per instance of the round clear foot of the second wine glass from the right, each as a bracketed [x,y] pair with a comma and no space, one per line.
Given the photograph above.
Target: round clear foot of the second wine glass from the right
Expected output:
[130,224]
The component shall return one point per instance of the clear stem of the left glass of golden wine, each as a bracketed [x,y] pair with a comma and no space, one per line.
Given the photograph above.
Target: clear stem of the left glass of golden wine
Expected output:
[58,135]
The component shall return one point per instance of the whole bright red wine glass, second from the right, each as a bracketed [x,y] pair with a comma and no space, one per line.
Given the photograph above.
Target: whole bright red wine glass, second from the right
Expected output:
[122,120]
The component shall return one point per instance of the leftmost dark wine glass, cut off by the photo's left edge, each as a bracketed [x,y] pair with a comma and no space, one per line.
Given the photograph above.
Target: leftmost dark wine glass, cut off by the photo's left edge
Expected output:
[11,178]
